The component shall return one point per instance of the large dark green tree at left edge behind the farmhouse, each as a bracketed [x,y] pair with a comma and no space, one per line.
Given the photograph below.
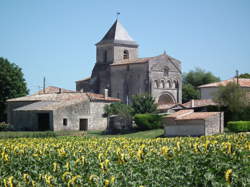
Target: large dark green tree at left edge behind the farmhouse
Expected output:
[12,84]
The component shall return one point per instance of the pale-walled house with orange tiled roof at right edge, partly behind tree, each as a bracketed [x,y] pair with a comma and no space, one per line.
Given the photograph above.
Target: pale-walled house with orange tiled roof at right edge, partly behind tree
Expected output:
[207,90]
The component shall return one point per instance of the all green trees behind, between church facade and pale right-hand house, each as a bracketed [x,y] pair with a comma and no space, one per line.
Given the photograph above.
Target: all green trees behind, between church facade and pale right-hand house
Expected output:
[192,80]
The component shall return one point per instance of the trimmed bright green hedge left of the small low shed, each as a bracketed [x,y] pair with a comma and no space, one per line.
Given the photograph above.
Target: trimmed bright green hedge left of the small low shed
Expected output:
[148,121]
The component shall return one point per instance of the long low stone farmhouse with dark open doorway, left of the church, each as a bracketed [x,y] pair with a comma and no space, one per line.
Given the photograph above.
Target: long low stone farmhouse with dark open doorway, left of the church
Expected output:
[58,110]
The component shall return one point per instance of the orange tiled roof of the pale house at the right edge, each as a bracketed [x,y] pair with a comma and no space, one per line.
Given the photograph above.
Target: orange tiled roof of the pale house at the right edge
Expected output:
[242,83]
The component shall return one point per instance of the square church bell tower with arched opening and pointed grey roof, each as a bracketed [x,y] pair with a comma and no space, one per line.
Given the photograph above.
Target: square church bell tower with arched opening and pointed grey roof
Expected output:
[116,46]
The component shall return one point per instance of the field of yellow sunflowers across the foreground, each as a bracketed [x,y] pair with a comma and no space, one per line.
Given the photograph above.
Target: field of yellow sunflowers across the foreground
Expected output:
[221,160]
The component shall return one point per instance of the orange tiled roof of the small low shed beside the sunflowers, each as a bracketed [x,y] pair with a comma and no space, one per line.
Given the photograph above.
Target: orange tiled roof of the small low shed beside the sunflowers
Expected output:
[191,115]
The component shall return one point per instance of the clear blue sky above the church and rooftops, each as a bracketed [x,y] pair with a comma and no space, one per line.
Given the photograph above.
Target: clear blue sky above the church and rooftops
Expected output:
[56,38]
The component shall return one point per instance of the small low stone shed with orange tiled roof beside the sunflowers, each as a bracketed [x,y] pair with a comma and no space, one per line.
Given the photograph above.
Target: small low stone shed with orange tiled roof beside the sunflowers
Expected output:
[190,123]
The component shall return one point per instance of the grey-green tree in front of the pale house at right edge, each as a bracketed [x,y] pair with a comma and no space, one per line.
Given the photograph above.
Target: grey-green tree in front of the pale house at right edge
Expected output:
[233,97]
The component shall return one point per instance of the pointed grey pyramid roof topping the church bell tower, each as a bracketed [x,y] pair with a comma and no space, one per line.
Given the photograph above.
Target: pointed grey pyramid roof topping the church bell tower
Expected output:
[117,34]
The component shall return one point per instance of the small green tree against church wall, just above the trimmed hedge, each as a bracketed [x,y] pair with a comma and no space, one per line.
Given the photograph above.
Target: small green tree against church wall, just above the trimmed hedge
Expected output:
[143,103]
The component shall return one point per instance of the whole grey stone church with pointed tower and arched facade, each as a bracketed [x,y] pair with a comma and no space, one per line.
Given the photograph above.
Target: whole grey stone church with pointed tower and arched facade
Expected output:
[119,70]
